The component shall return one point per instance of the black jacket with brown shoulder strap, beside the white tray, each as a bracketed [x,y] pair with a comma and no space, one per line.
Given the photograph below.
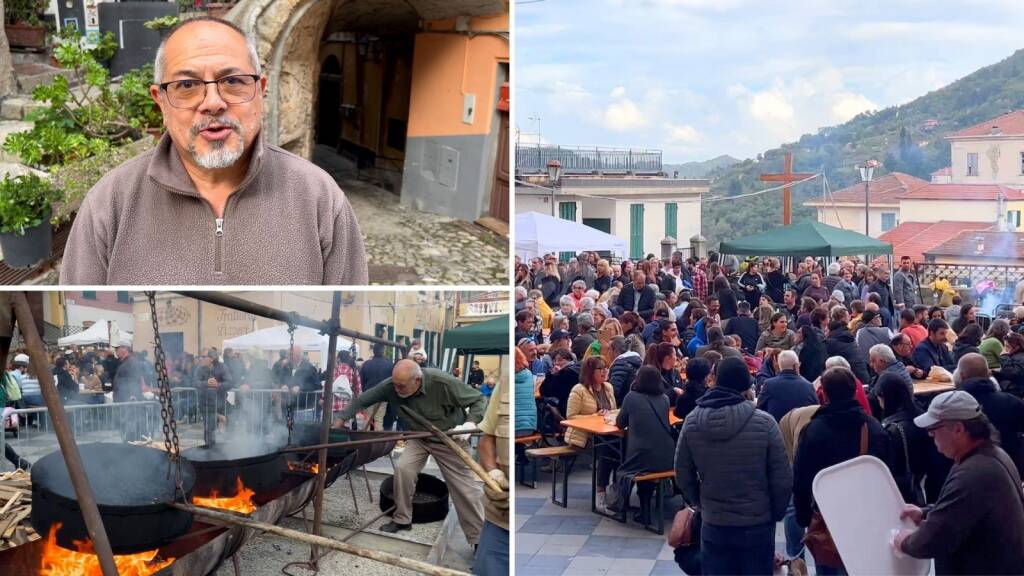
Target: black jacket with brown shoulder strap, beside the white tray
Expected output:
[832,437]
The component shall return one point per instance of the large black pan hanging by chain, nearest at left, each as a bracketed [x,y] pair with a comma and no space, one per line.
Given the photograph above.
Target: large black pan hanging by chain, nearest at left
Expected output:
[133,486]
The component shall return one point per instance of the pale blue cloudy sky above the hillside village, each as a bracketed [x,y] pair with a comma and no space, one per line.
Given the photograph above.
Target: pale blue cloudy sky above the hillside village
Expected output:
[700,78]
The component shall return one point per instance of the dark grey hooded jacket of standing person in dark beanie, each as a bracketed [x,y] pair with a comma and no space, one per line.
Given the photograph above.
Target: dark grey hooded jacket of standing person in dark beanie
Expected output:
[732,462]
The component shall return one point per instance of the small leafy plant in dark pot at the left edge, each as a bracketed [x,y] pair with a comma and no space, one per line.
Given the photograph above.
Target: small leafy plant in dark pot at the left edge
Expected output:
[26,208]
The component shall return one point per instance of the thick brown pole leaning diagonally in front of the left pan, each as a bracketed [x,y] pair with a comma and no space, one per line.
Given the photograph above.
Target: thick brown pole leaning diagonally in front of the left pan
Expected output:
[73,460]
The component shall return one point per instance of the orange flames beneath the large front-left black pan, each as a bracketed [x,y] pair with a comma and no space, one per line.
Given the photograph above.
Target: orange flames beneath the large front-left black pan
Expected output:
[62,562]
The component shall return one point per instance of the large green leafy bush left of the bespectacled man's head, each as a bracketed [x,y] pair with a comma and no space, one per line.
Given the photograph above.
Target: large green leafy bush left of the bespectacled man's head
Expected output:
[78,124]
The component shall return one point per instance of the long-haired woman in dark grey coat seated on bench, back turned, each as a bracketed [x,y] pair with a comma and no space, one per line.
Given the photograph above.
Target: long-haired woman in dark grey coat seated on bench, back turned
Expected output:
[650,440]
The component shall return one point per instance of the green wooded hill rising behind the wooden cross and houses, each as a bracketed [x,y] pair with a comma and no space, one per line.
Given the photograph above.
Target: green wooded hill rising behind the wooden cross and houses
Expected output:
[902,138]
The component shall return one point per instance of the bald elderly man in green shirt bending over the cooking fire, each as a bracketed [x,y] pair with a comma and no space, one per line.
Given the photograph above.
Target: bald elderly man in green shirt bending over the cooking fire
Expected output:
[444,401]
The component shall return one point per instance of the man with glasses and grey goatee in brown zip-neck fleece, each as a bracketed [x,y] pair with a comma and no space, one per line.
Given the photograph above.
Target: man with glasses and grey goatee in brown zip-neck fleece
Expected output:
[215,202]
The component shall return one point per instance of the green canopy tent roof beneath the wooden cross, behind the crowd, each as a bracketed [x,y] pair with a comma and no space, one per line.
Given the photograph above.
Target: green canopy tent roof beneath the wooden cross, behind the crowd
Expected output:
[809,238]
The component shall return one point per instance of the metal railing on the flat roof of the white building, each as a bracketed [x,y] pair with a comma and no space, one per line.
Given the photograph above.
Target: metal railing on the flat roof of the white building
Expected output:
[534,159]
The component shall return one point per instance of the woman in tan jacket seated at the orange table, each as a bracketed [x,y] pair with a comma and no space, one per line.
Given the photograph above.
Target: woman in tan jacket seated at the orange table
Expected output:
[593,395]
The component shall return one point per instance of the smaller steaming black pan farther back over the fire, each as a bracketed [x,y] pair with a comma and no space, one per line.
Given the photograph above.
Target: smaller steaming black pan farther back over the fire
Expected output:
[260,466]
